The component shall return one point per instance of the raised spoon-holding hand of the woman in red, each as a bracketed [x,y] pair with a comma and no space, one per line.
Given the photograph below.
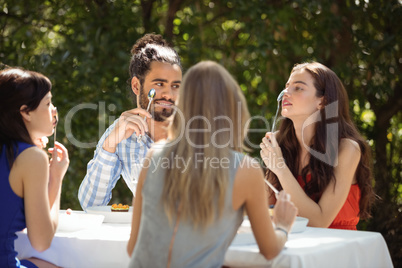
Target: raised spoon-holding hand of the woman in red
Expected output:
[271,153]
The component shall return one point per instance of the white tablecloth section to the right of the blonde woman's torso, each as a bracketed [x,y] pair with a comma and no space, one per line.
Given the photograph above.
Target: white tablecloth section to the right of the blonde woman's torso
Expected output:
[315,247]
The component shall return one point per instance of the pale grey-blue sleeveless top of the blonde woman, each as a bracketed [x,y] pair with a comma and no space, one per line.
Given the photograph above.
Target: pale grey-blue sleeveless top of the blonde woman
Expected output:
[192,247]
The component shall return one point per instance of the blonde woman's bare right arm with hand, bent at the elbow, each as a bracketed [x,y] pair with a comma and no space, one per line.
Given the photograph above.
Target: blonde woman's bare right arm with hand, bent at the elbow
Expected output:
[249,189]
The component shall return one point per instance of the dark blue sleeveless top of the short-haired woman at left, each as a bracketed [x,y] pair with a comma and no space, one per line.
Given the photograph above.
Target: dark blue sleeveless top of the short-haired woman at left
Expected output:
[12,211]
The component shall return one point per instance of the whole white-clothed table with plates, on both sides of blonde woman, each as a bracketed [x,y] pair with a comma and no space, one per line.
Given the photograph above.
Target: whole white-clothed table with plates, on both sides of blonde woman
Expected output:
[99,239]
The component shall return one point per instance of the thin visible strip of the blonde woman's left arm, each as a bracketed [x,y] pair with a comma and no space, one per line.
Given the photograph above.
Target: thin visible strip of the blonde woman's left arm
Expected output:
[137,209]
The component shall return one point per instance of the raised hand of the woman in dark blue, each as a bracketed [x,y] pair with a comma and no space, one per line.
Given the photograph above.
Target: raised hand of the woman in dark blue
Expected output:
[59,162]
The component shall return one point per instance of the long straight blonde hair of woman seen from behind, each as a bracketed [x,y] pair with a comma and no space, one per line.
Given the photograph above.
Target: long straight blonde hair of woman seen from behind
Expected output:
[210,100]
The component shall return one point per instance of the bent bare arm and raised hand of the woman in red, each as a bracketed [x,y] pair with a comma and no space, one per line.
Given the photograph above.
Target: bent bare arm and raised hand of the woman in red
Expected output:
[323,213]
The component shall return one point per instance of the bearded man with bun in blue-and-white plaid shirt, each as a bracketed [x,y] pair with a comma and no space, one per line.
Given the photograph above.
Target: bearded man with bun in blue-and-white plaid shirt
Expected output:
[121,150]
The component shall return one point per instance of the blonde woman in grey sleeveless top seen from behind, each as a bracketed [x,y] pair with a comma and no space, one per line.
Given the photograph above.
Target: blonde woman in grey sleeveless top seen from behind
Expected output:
[194,189]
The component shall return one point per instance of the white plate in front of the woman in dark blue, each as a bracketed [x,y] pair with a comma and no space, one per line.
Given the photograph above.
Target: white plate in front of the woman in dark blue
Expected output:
[78,220]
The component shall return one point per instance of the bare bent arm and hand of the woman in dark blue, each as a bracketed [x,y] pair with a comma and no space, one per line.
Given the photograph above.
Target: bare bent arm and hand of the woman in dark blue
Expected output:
[31,168]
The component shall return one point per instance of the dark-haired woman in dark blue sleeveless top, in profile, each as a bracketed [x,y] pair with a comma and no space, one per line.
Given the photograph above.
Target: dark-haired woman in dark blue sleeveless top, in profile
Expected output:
[30,184]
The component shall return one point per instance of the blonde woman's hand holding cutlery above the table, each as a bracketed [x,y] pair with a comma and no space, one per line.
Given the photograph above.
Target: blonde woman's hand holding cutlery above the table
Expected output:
[284,212]
